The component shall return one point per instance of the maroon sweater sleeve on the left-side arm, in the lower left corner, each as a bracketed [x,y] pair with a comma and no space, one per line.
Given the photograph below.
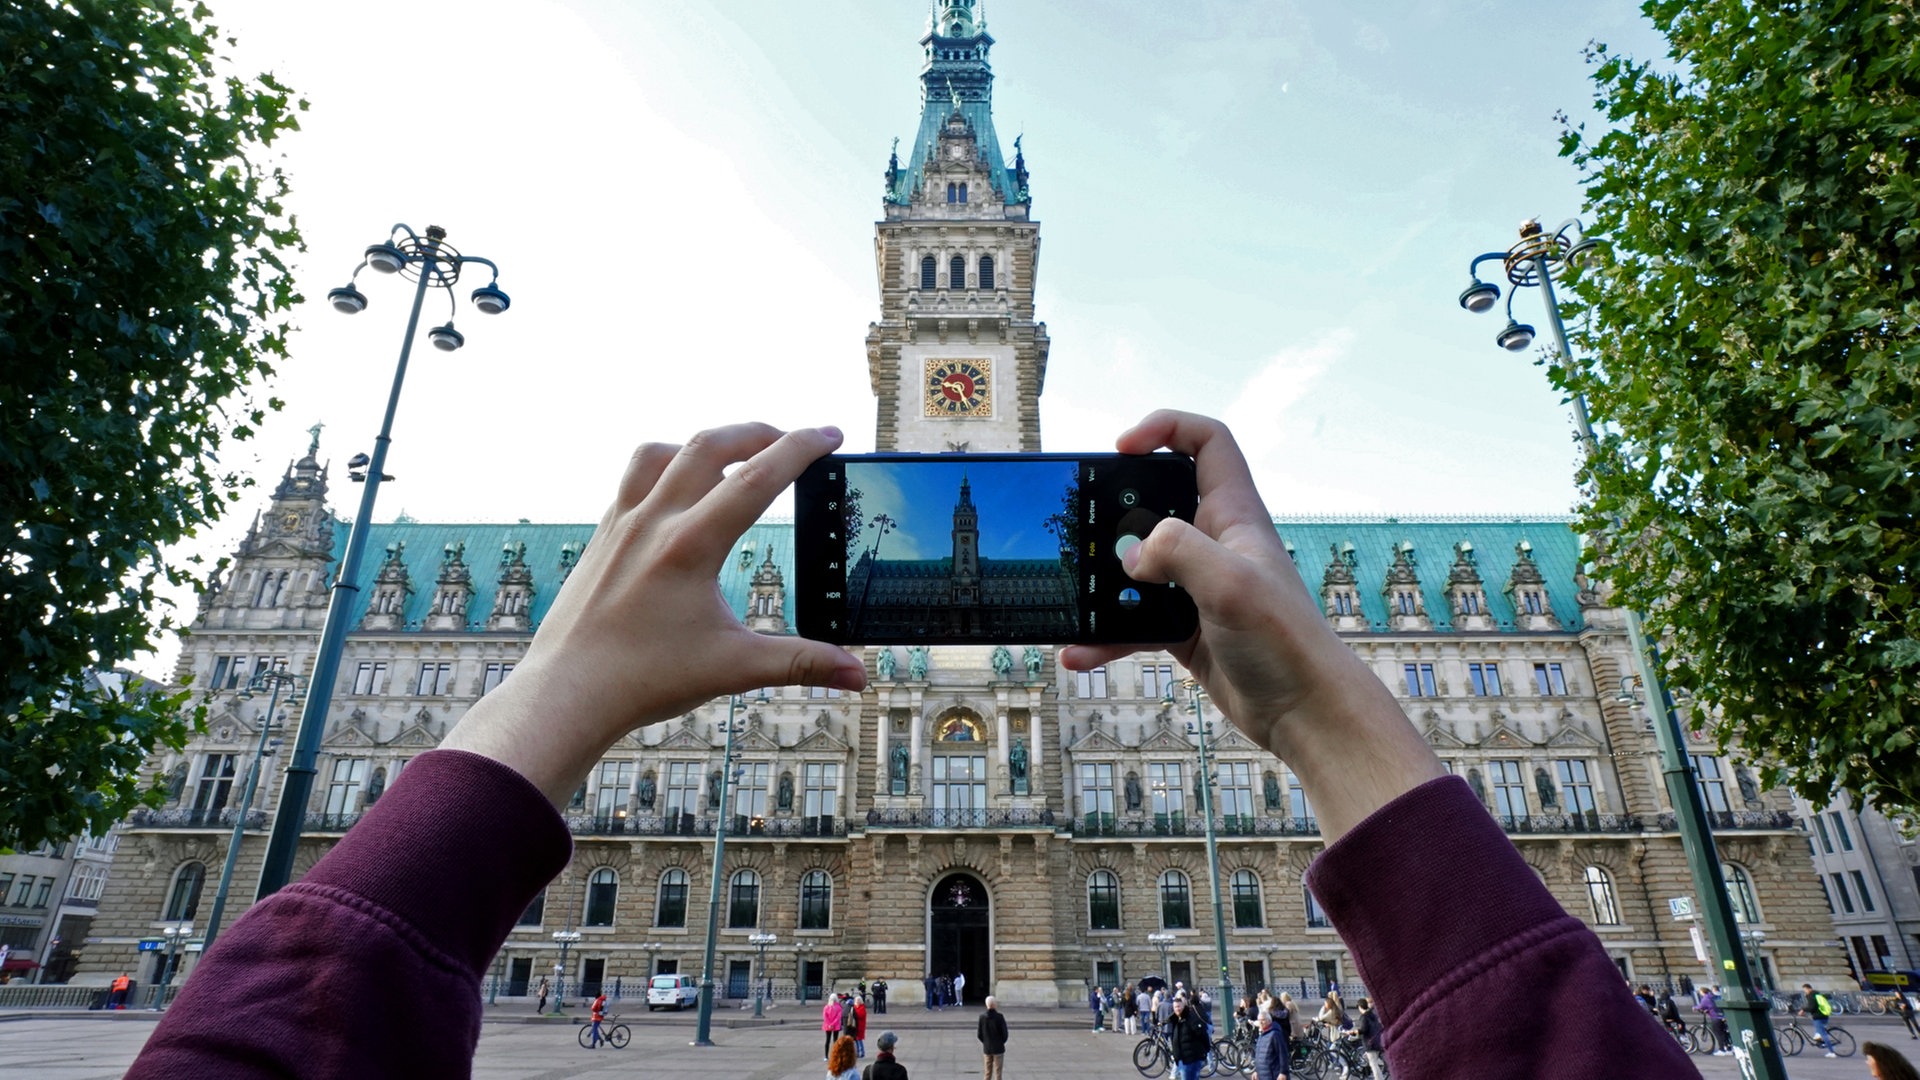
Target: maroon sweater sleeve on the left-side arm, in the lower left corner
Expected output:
[372,964]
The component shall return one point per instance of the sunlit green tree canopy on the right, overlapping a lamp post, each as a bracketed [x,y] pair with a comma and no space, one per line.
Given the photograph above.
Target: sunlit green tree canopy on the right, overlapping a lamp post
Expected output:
[1756,366]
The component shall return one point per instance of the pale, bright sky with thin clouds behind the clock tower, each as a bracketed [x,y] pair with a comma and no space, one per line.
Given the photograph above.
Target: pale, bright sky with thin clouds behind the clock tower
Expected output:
[1259,210]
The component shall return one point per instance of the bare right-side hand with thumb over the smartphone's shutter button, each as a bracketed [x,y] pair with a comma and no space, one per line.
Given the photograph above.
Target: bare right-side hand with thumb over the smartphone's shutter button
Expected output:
[1264,650]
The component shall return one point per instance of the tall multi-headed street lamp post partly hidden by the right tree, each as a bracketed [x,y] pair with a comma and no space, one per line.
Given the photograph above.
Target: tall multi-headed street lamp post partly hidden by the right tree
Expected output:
[1529,264]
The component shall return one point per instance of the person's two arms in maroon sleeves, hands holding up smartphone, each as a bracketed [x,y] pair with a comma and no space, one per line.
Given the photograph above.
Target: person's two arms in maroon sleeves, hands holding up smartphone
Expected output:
[398,925]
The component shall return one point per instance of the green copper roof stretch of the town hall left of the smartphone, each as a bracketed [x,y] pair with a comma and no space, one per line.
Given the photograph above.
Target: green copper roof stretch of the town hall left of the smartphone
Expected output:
[429,541]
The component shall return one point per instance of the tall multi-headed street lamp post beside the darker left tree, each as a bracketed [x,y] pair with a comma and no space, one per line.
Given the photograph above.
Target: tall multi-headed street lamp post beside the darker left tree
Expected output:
[431,262]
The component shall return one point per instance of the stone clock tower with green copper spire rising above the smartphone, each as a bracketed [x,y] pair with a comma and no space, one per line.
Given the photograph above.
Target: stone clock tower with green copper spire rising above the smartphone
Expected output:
[957,360]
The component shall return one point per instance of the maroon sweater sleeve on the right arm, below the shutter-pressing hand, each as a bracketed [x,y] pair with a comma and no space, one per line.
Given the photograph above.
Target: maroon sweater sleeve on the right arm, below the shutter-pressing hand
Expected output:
[1472,962]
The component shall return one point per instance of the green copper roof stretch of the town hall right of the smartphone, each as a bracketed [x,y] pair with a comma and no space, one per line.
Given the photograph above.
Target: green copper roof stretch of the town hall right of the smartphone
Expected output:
[1556,551]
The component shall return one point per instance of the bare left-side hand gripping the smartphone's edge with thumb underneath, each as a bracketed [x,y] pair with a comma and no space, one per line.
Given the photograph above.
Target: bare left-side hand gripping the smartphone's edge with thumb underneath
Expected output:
[640,631]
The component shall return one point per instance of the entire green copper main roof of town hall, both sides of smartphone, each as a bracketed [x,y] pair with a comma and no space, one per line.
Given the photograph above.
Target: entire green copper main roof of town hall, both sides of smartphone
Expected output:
[1556,551]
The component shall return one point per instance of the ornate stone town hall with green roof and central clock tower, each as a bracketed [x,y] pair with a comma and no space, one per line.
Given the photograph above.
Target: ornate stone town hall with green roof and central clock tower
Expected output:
[980,814]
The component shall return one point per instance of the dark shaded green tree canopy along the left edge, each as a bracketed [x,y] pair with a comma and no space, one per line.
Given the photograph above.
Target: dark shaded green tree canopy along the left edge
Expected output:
[141,291]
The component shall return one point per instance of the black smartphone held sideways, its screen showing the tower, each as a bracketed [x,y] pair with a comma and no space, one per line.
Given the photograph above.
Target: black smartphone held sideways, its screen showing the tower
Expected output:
[982,549]
